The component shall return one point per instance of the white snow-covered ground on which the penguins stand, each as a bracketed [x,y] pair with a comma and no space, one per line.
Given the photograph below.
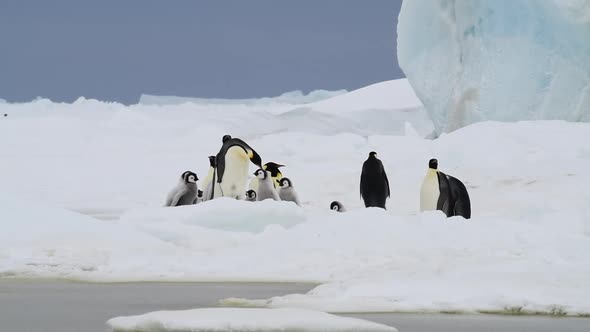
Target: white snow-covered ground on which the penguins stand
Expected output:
[525,249]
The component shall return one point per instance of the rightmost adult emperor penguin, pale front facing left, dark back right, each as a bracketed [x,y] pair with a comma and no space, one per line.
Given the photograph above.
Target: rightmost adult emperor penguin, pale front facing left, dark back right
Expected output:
[444,192]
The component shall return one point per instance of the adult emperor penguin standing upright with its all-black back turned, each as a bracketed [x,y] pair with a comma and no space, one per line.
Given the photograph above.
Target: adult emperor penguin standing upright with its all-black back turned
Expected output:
[374,183]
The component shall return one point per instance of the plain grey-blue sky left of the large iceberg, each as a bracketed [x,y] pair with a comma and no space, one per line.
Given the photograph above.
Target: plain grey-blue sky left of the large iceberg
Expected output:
[118,49]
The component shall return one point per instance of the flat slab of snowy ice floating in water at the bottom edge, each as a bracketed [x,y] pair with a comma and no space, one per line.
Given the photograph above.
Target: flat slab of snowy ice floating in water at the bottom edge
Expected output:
[243,320]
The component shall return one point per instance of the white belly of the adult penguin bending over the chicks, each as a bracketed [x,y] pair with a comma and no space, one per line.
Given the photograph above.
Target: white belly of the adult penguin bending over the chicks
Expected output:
[235,176]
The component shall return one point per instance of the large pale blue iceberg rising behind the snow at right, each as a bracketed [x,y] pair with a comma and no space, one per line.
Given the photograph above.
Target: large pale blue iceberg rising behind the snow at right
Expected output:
[503,60]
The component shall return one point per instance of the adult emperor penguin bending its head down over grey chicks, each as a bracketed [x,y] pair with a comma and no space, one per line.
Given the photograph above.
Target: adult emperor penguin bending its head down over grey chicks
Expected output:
[231,171]
